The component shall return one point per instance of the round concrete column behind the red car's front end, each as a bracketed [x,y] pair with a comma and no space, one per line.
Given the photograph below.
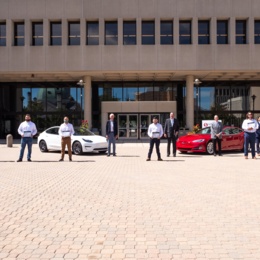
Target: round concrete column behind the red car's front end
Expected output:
[190,101]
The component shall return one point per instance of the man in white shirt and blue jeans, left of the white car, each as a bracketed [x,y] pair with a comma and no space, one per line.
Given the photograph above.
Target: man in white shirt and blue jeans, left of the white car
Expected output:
[27,130]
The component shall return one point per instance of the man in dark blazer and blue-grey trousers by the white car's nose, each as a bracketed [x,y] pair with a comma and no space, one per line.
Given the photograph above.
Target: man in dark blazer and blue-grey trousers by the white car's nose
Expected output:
[111,134]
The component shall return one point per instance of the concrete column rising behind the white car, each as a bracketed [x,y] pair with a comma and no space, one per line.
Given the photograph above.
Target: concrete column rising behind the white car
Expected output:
[88,101]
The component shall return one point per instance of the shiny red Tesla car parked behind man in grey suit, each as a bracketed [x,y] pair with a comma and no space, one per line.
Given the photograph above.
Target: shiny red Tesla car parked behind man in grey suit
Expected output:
[232,139]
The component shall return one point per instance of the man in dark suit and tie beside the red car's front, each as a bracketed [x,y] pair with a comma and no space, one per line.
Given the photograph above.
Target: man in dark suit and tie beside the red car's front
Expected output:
[171,130]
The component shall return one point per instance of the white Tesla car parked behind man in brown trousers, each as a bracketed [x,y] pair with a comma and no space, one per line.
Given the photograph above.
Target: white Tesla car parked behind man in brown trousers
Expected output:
[82,141]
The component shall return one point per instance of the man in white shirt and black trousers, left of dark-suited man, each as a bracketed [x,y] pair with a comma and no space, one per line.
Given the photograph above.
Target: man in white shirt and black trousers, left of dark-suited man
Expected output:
[155,133]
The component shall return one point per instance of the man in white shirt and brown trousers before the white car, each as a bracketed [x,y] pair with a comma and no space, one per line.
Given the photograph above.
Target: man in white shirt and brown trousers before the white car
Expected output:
[66,131]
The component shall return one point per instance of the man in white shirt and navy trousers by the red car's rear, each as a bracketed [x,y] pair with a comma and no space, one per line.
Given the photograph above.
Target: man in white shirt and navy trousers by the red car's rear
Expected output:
[250,126]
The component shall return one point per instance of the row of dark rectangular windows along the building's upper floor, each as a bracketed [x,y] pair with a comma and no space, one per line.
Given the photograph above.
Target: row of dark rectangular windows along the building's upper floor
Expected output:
[130,32]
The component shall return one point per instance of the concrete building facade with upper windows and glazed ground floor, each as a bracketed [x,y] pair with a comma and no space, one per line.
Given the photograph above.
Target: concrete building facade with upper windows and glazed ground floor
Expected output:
[136,58]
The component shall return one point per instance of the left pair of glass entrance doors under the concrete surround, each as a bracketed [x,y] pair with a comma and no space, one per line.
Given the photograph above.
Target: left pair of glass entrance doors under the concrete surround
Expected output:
[128,126]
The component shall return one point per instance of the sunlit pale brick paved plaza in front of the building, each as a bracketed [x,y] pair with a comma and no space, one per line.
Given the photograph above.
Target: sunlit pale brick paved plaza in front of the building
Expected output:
[188,207]
